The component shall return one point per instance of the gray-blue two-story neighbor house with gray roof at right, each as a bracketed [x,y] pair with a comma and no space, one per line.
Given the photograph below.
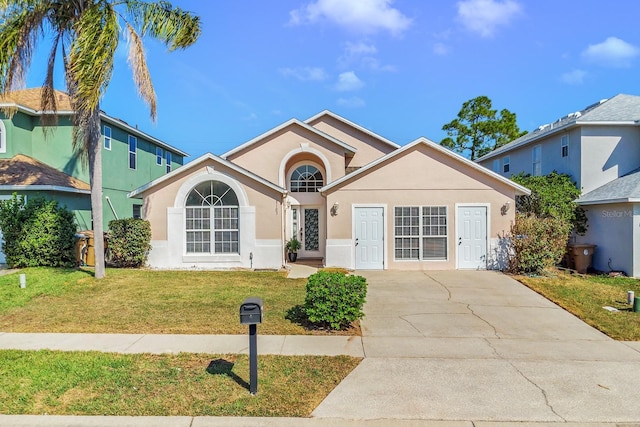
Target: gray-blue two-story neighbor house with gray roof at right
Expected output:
[599,147]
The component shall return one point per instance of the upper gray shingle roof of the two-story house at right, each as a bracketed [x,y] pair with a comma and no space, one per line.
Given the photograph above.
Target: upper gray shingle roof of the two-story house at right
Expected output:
[621,109]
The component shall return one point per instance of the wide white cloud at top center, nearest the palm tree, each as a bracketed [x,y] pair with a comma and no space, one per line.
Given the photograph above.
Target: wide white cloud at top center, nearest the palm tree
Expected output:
[364,16]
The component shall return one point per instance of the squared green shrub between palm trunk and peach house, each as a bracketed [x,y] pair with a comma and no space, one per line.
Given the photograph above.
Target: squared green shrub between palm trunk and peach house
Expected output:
[129,242]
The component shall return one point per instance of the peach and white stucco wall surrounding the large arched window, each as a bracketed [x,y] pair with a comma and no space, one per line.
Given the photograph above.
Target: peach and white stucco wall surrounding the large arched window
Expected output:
[261,221]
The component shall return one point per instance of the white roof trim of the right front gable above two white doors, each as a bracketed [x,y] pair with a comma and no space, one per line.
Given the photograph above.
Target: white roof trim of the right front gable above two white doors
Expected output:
[464,162]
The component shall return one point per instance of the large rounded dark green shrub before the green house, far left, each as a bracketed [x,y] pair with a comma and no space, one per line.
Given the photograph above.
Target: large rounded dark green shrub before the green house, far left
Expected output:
[37,233]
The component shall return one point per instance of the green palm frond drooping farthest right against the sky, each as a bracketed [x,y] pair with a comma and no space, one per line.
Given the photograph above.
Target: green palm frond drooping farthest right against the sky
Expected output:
[176,28]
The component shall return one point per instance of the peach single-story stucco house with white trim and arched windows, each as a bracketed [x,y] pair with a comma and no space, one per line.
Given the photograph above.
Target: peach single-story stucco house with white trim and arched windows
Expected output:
[353,198]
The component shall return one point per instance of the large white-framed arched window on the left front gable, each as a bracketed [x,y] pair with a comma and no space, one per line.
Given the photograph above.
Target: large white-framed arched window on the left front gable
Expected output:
[212,200]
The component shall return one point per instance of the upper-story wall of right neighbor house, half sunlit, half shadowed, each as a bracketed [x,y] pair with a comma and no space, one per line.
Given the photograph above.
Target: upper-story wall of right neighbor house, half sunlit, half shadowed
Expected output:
[608,152]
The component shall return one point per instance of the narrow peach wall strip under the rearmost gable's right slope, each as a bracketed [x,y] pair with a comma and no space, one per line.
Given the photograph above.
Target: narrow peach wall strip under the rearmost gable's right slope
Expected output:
[369,148]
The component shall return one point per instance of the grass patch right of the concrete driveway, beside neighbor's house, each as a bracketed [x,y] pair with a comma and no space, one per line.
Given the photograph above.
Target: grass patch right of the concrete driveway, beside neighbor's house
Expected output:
[584,296]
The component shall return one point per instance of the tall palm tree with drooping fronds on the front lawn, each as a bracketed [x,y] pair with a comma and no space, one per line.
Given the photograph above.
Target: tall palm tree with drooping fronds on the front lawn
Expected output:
[85,34]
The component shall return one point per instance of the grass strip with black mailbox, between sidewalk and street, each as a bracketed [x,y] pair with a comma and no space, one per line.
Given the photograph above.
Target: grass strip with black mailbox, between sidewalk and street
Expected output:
[91,383]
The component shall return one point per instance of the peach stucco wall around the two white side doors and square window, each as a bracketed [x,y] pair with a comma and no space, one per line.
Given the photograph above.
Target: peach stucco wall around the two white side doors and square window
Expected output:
[420,177]
